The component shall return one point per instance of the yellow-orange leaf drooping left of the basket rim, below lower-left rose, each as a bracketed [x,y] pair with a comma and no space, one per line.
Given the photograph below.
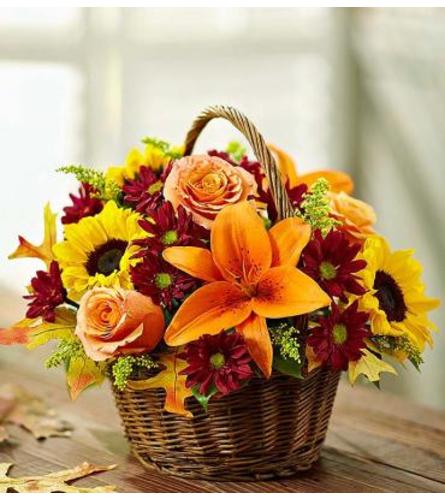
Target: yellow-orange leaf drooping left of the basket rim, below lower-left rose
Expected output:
[81,373]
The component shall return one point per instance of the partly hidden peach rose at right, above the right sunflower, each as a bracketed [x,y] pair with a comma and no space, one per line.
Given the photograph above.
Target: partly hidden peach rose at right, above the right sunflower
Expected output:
[357,216]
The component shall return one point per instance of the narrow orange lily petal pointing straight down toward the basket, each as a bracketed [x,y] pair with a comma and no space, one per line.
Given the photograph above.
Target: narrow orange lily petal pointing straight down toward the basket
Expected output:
[256,335]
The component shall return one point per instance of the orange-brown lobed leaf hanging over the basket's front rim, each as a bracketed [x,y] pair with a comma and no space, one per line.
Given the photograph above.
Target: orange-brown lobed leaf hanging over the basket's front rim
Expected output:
[170,380]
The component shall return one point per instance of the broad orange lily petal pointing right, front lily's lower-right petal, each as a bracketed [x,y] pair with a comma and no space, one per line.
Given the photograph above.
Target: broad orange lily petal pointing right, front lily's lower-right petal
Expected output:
[286,291]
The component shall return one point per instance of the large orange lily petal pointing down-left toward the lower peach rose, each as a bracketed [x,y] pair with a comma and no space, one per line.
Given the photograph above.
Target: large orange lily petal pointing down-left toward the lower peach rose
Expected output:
[210,309]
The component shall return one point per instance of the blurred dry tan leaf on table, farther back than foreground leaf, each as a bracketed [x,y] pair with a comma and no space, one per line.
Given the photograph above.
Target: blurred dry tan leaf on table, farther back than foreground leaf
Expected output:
[19,407]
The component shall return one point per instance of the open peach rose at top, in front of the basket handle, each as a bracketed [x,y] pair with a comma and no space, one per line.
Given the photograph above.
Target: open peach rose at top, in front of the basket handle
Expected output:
[204,185]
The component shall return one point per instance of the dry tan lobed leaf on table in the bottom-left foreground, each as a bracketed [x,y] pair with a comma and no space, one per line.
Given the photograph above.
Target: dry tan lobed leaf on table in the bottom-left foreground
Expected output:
[55,482]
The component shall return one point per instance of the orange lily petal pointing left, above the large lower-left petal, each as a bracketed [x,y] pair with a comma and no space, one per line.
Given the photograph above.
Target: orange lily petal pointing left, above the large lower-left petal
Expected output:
[198,262]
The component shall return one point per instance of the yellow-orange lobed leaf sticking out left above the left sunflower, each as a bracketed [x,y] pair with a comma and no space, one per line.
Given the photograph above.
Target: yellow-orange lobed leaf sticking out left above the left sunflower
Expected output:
[43,251]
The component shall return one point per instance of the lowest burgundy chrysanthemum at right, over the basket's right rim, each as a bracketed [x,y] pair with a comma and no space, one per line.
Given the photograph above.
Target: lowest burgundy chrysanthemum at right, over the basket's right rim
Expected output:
[339,338]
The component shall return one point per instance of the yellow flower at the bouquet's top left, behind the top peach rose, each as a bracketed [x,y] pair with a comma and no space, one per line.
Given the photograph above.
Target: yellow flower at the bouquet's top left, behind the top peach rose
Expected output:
[152,156]
